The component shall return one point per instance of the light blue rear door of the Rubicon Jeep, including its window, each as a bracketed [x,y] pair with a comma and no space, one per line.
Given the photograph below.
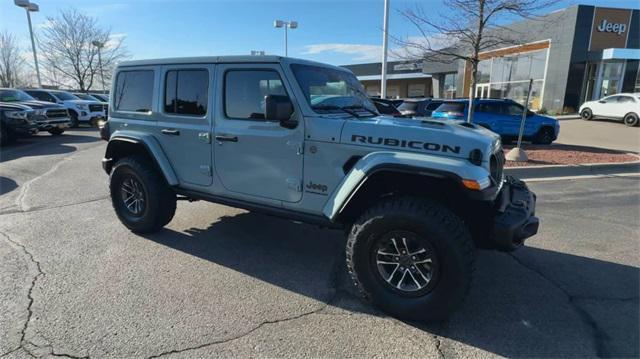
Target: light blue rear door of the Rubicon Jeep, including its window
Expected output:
[184,122]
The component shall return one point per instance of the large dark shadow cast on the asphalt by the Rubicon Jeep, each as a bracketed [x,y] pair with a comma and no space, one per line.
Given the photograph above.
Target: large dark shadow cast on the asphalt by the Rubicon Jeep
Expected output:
[512,310]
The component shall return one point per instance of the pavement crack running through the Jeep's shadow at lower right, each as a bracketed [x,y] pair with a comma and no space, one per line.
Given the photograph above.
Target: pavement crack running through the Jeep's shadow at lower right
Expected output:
[599,336]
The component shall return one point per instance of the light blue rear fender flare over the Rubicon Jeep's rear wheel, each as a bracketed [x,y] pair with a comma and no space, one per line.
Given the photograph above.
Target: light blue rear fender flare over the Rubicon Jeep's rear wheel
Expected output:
[151,145]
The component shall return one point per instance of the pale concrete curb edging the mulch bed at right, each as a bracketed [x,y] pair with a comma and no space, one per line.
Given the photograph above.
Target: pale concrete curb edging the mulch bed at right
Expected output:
[534,172]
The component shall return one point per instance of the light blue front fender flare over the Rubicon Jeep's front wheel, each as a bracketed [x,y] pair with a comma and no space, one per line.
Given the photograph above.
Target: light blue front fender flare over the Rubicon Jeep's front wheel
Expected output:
[455,169]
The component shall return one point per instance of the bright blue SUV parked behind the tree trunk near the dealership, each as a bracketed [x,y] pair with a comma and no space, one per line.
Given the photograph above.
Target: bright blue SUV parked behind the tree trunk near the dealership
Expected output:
[502,117]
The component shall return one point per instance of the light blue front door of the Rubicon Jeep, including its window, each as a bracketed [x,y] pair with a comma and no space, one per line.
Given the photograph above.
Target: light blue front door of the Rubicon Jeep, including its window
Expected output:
[254,156]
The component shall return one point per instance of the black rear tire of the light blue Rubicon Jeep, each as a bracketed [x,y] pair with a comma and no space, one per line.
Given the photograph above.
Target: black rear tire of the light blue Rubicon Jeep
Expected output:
[160,200]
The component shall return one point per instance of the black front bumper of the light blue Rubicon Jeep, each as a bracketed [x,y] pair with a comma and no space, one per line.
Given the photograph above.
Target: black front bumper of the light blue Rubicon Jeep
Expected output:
[515,219]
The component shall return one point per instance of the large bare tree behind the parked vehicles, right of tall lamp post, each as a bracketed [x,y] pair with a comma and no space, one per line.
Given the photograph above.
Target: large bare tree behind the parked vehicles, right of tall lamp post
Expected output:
[66,47]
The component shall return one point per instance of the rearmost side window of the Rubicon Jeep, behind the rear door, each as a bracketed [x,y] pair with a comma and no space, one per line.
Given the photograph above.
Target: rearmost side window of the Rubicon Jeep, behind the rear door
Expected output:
[134,91]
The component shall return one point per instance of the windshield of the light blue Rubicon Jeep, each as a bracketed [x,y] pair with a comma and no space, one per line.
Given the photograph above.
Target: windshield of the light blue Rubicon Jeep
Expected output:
[328,89]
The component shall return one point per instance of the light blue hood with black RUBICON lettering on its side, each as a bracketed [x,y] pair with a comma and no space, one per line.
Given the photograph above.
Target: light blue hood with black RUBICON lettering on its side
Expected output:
[446,138]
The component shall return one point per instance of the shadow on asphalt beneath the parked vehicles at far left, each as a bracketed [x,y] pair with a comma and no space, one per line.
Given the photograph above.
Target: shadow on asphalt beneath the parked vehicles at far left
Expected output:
[45,144]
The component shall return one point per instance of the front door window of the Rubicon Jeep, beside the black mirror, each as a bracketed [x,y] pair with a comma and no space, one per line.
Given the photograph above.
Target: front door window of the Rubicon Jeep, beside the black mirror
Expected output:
[245,91]
